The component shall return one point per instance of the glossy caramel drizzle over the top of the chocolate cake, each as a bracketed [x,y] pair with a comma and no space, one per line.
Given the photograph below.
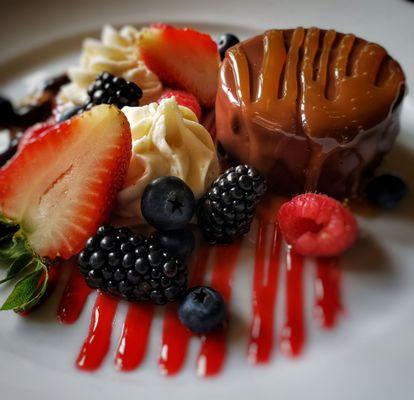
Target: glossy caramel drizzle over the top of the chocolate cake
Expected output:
[325,86]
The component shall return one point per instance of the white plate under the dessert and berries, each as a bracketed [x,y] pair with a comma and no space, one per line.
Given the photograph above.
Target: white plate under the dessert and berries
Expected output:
[368,356]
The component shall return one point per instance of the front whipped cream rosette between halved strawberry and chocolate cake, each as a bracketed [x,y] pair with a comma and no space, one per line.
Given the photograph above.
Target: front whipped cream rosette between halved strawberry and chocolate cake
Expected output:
[167,139]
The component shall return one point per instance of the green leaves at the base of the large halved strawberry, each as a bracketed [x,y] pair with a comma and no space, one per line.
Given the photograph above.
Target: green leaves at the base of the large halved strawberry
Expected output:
[23,265]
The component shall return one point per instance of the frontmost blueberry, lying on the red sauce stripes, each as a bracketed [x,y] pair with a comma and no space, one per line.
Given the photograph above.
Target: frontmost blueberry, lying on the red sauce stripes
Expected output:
[202,310]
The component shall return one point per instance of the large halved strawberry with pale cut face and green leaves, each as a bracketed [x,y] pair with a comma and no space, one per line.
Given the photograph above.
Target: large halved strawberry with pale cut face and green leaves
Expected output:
[59,189]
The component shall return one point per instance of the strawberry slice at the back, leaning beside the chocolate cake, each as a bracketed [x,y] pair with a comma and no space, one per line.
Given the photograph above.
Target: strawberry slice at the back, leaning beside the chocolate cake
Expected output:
[182,58]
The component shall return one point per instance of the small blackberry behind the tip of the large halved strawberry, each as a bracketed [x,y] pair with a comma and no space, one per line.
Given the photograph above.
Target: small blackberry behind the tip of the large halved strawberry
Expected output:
[110,89]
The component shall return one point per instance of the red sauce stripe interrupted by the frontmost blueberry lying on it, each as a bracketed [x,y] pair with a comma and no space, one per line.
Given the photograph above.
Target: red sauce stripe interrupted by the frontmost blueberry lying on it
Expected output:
[212,354]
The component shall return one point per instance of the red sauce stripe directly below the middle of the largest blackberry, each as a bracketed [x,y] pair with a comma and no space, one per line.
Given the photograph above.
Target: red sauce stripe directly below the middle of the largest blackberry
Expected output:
[132,345]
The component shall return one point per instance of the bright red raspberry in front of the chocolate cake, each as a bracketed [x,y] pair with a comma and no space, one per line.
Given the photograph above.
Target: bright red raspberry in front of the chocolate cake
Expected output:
[317,225]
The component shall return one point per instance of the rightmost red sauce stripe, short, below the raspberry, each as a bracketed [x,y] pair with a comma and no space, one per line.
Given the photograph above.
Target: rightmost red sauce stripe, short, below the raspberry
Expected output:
[328,303]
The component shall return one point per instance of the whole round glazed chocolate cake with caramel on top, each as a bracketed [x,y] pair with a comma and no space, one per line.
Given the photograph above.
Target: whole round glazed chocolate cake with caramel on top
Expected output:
[313,110]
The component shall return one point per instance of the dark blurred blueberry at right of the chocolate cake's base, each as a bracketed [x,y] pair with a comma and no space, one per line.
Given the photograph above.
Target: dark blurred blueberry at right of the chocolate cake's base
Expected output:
[385,191]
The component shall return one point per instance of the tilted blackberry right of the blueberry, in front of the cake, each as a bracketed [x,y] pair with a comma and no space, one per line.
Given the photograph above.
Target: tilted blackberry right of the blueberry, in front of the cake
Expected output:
[227,209]
